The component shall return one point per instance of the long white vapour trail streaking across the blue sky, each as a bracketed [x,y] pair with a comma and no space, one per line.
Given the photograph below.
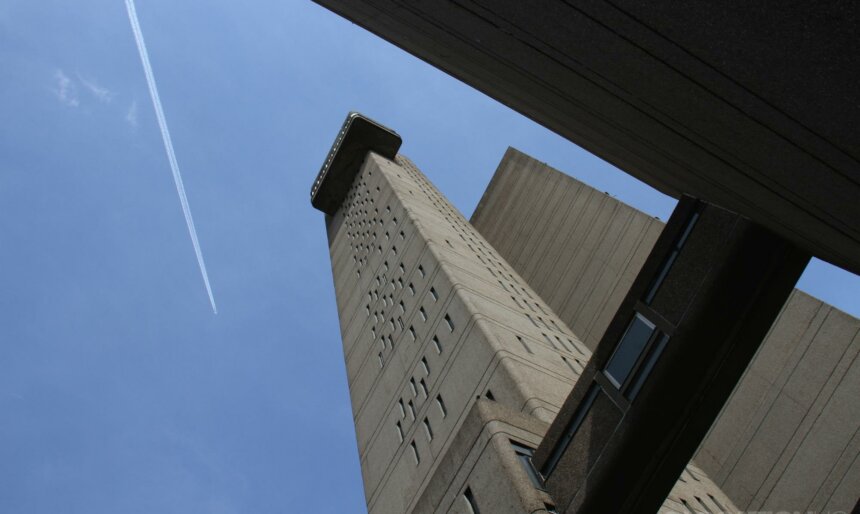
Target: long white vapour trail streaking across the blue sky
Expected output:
[168,145]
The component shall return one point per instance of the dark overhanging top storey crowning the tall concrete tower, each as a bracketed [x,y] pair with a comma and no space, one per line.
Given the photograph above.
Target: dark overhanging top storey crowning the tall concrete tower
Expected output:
[358,135]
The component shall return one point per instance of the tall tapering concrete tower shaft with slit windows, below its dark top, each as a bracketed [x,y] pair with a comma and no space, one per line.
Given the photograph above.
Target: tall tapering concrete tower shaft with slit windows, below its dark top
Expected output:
[453,361]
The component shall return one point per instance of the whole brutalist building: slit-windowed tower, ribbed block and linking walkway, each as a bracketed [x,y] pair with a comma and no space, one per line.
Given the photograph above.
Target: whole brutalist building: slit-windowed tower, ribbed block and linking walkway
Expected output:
[466,343]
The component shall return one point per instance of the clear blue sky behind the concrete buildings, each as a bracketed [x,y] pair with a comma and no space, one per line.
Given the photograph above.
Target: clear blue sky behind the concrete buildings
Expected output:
[120,391]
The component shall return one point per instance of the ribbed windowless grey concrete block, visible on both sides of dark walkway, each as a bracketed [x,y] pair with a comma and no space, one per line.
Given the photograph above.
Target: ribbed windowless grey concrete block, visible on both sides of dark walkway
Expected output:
[788,438]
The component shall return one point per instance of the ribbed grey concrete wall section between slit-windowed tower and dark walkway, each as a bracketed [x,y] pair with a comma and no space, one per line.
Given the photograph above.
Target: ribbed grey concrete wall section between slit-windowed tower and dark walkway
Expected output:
[579,248]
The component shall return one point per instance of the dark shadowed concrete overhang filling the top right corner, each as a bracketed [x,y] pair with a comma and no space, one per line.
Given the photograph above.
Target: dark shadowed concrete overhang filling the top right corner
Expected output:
[749,105]
